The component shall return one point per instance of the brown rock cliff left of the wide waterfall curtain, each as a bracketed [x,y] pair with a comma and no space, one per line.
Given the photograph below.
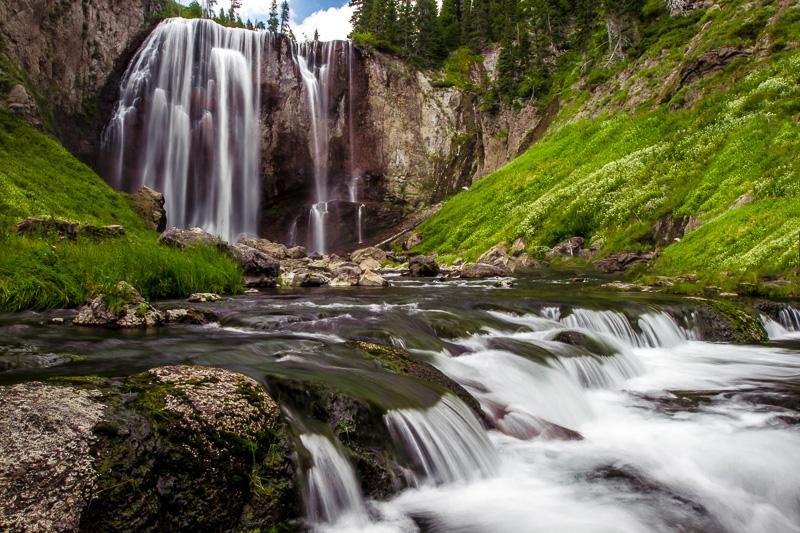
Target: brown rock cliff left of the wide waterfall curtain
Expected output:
[63,59]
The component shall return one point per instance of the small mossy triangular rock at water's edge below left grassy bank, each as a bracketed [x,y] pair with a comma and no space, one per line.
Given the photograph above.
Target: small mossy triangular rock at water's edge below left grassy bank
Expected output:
[122,306]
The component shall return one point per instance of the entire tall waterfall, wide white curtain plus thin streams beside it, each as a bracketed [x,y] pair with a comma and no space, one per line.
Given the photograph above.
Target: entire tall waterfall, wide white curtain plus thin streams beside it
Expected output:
[190,122]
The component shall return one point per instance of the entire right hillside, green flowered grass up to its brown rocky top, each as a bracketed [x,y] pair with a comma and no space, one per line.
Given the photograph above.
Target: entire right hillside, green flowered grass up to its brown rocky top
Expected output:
[617,158]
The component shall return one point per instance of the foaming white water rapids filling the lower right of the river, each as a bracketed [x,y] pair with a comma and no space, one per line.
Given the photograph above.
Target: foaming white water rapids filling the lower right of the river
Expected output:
[588,443]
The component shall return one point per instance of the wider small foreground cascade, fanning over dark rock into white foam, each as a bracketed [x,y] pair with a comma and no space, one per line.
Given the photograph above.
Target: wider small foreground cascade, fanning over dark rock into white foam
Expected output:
[446,442]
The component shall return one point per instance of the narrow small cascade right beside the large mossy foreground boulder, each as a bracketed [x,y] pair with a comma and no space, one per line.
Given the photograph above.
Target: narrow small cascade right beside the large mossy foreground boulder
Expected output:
[333,490]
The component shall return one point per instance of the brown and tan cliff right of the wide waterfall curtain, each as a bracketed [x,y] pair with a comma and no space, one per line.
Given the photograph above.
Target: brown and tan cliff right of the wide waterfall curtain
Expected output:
[408,144]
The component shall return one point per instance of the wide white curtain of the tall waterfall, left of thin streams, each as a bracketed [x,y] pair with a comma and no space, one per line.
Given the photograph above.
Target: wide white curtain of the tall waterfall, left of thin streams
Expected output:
[186,124]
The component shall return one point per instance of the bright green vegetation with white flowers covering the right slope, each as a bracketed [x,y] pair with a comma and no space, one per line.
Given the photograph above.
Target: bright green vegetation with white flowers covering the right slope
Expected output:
[610,177]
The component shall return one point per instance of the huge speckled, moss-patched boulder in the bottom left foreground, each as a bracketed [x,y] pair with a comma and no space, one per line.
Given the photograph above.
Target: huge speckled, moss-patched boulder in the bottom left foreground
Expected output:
[178,448]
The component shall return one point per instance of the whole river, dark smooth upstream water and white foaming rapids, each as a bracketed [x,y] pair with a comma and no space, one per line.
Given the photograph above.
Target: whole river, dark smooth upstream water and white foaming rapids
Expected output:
[641,426]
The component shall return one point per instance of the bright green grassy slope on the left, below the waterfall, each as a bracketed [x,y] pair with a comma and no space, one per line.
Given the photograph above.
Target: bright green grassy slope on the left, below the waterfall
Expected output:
[39,177]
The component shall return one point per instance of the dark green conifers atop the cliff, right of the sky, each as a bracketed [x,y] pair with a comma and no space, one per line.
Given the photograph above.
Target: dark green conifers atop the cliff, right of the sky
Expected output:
[531,34]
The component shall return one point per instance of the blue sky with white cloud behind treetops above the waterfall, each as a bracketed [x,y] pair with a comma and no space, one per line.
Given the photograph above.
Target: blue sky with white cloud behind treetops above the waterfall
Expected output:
[330,17]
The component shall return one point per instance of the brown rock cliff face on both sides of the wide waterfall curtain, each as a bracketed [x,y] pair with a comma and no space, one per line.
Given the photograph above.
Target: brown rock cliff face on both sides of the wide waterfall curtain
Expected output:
[396,143]
